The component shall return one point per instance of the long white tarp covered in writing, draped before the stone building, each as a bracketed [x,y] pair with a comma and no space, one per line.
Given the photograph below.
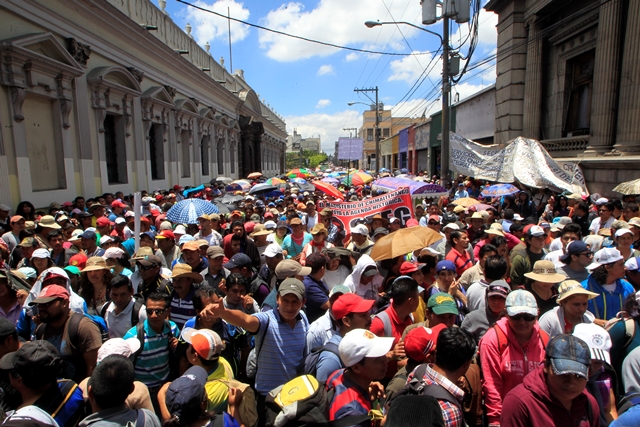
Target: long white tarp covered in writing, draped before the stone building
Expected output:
[524,160]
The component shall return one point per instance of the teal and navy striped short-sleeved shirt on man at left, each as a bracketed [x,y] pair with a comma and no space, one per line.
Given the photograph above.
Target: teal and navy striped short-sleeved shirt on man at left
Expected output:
[152,364]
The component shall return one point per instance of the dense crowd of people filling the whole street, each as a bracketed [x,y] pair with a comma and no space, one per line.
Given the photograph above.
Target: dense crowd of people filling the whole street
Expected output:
[521,310]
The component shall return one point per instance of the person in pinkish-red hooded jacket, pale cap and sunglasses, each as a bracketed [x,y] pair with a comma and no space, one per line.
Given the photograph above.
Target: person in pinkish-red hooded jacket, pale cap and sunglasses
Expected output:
[510,349]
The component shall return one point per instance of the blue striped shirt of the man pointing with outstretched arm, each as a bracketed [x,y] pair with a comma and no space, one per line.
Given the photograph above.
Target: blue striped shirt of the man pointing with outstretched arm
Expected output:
[280,349]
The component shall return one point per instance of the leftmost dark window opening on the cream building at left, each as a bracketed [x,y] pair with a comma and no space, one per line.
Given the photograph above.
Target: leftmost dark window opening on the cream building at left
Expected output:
[115,149]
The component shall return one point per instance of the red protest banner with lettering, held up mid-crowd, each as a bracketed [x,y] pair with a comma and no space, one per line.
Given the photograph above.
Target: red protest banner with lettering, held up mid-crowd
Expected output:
[347,214]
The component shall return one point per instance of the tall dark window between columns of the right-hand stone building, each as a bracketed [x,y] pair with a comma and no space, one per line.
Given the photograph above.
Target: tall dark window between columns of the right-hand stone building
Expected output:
[578,102]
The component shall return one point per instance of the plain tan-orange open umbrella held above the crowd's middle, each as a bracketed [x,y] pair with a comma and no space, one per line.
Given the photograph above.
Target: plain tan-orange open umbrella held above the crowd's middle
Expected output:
[403,241]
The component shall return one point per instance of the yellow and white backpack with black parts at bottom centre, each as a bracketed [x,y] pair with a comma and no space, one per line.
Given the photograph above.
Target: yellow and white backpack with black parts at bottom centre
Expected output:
[304,402]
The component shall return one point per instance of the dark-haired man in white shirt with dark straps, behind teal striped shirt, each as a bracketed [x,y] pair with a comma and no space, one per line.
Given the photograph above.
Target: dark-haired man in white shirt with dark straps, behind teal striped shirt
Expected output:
[124,311]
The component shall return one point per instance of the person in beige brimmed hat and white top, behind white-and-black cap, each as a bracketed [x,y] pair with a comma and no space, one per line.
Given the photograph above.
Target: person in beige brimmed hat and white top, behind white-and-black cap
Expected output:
[571,310]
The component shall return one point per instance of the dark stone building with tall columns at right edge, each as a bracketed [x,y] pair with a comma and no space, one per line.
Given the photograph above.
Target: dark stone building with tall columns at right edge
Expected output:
[568,75]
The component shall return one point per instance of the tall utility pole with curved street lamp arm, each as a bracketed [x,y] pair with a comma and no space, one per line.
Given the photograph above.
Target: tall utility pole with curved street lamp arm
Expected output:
[446,88]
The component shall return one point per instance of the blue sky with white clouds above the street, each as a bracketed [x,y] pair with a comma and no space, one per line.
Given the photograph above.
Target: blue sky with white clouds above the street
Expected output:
[310,84]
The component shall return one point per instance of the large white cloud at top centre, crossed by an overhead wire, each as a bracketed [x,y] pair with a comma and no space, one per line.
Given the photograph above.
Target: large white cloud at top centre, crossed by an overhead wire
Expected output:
[338,22]
